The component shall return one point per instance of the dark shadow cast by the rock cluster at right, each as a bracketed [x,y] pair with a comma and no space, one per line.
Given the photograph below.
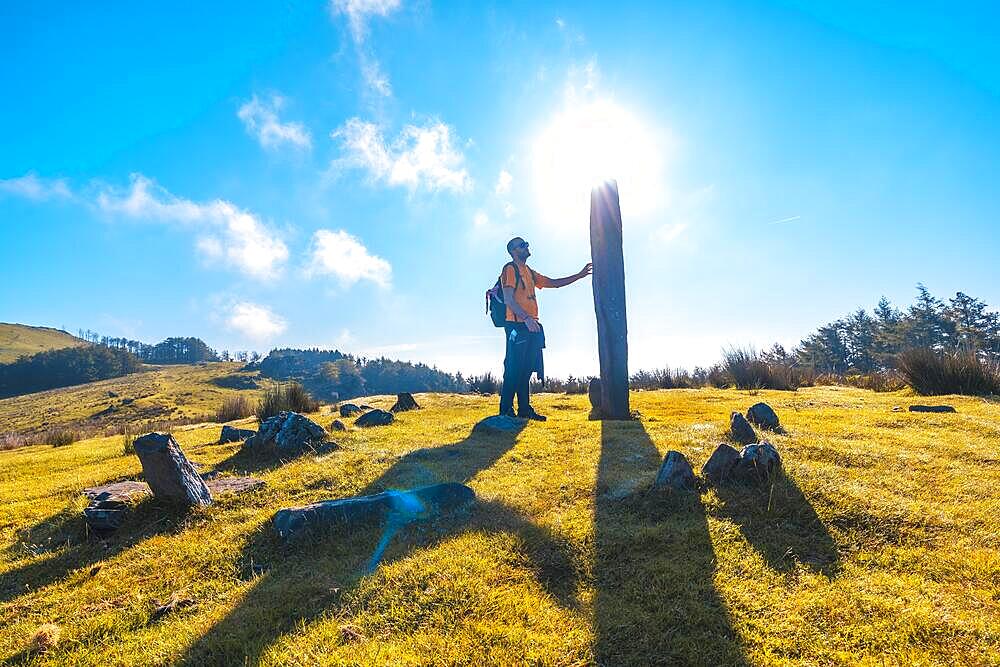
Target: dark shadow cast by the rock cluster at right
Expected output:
[781,524]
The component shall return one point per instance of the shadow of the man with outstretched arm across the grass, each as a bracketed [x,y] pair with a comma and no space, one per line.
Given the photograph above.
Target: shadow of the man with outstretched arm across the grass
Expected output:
[317,573]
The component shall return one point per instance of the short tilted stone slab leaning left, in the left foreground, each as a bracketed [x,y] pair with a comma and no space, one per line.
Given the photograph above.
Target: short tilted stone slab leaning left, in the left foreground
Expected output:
[169,474]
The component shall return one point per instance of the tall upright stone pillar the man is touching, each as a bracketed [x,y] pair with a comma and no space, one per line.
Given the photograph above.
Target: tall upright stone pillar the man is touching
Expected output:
[609,299]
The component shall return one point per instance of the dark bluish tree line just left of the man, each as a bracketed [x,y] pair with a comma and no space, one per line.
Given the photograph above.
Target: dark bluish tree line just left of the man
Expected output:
[331,374]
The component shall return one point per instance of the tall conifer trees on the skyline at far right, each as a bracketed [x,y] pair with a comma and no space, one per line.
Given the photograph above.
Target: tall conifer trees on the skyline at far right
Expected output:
[866,342]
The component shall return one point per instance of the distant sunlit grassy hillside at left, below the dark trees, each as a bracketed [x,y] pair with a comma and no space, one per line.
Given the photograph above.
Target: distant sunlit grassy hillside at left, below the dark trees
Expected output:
[157,393]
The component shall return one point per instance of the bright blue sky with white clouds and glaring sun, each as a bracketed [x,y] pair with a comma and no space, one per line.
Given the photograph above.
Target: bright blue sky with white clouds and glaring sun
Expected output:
[345,174]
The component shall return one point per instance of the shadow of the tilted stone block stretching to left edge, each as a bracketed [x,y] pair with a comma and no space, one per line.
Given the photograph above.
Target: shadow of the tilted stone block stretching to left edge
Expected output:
[149,517]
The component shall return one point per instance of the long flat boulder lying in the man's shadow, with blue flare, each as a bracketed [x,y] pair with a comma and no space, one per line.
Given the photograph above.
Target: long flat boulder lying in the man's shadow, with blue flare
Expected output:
[398,506]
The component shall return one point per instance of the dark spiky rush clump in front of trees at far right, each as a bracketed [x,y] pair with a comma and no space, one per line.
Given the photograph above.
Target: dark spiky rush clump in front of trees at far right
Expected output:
[934,373]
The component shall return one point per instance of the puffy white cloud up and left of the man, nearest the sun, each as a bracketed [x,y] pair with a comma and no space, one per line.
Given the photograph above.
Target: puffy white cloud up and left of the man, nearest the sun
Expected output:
[420,157]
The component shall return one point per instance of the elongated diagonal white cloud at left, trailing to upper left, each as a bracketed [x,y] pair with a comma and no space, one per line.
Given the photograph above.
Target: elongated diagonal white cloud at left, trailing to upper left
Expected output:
[228,232]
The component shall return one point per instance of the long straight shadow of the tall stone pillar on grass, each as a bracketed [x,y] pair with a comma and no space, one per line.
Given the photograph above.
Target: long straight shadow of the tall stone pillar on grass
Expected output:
[656,601]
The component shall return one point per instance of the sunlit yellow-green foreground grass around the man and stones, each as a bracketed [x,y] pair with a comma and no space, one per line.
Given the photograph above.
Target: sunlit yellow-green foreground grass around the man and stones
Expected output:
[878,546]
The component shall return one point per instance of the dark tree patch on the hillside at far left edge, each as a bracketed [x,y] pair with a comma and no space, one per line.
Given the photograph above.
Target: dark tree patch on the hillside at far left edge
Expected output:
[64,367]
